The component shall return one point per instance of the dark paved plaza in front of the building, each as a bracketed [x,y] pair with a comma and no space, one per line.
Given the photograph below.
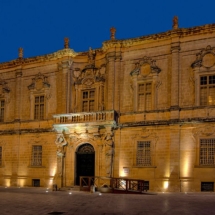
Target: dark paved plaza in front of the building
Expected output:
[40,201]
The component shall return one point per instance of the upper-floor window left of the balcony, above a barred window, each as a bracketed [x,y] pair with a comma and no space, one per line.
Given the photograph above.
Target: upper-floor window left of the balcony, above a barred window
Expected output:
[39,106]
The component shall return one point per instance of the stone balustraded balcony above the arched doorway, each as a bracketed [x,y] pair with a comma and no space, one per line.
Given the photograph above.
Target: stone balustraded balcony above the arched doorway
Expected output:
[99,117]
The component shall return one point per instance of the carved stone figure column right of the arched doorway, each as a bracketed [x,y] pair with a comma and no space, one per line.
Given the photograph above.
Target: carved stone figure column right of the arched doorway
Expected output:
[109,152]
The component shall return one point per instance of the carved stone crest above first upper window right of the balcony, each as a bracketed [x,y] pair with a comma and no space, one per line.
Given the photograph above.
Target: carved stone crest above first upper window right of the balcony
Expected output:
[145,67]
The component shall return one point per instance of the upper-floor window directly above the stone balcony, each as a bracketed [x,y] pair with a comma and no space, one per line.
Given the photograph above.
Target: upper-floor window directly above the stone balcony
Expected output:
[88,100]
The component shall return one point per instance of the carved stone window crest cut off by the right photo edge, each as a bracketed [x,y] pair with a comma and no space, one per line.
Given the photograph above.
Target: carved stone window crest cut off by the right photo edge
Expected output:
[205,58]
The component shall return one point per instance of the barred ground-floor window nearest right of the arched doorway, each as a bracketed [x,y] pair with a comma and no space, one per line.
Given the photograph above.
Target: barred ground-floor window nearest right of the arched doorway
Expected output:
[143,153]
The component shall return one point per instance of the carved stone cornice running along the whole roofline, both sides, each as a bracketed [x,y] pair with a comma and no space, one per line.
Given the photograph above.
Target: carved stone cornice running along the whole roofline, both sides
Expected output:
[180,32]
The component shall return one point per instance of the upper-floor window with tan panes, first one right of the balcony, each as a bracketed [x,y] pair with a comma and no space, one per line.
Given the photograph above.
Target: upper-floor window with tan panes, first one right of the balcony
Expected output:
[145,96]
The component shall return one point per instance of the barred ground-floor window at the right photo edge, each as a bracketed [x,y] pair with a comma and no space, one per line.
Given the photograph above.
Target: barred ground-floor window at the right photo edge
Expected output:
[207,152]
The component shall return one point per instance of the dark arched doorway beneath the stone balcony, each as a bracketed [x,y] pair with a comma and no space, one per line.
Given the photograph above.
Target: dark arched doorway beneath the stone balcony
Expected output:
[85,161]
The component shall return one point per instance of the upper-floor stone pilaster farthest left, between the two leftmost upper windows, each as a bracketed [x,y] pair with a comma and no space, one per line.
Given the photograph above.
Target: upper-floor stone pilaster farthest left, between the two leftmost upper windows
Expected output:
[18,102]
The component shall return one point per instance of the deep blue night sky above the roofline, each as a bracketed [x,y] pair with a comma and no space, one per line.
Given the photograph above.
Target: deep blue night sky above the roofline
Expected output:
[39,26]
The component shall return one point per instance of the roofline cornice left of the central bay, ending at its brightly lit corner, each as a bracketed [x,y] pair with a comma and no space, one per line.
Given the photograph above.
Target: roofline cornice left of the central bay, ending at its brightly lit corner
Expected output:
[38,59]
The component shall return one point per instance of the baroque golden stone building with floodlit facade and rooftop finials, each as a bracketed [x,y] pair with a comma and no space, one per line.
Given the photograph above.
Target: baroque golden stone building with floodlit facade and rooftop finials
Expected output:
[140,108]
